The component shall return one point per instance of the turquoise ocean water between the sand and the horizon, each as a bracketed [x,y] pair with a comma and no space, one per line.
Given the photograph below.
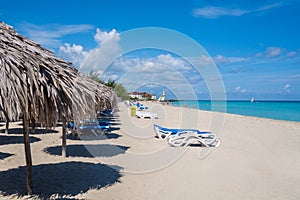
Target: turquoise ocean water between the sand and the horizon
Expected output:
[279,110]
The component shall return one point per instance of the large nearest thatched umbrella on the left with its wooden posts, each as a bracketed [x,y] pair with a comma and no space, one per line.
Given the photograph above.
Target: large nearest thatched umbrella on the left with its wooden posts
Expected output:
[37,86]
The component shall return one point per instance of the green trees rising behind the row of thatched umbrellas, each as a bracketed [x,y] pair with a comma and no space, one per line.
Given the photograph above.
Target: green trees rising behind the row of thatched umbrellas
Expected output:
[117,87]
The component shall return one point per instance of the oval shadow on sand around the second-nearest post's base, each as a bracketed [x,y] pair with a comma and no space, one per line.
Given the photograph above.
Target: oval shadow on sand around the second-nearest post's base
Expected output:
[89,150]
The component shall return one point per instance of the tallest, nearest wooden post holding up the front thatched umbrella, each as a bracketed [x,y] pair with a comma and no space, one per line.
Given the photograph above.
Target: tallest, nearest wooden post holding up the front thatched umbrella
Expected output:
[27,155]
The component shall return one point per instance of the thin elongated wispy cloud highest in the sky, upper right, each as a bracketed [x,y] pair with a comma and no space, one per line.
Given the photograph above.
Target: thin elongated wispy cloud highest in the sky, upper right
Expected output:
[213,12]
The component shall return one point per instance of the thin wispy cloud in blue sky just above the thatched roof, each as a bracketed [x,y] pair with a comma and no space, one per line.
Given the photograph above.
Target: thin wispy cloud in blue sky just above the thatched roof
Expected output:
[50,34]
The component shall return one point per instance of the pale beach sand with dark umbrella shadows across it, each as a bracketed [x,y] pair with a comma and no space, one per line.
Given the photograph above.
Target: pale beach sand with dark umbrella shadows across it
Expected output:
[257,159]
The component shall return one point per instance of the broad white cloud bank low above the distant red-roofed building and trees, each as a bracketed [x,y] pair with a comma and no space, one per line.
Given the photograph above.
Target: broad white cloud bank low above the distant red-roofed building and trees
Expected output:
[164,70]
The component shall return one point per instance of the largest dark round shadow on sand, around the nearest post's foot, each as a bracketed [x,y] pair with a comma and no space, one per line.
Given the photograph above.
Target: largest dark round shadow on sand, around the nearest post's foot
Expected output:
[60,180]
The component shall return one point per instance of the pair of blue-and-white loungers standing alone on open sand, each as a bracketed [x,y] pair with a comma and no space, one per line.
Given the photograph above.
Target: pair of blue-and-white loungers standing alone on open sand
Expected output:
[184,137]
